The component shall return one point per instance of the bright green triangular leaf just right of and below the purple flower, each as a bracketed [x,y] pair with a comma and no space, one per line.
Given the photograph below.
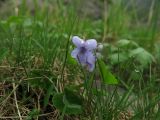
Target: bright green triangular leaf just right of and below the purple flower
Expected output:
[107,76]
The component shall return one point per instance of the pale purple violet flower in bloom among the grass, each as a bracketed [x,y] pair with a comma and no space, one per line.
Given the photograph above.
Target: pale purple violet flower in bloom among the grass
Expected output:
[84,53]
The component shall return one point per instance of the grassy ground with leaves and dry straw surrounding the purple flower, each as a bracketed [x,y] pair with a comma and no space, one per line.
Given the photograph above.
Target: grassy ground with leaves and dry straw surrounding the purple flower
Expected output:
[40,80]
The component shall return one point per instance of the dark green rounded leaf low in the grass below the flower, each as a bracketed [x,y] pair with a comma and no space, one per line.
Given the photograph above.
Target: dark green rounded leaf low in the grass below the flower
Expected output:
[68,101]
